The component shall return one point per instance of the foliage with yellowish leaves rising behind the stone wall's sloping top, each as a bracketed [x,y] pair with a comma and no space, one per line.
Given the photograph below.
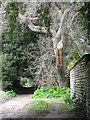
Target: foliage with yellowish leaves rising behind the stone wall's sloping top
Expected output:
[80,45]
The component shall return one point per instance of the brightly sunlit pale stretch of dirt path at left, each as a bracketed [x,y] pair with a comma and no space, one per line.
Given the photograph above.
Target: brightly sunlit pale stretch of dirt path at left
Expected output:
[13,108]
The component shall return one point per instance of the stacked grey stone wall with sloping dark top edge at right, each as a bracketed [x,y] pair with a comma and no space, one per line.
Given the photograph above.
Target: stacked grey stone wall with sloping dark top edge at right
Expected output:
[80,82]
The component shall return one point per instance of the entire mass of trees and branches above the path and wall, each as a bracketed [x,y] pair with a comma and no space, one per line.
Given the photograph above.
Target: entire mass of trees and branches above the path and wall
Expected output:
[31,36]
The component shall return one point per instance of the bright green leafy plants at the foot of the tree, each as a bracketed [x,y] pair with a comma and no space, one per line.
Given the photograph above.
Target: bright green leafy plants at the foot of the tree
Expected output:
[54,92]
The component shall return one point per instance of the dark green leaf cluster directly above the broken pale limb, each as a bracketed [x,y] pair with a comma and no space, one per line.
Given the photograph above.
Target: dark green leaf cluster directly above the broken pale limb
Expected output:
[43,13]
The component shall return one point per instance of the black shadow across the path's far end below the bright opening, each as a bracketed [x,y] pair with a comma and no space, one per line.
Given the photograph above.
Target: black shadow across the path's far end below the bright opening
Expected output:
[25,90]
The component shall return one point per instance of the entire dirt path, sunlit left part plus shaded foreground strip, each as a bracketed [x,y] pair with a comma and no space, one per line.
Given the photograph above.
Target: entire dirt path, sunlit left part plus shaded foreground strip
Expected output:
[14,108]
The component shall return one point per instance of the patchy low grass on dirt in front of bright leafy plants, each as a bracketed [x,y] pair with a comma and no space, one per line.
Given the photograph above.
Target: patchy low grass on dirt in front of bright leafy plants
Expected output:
[45,105]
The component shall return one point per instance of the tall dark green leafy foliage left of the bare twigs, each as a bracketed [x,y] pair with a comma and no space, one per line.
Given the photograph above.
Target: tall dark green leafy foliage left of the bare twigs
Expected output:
[16,41]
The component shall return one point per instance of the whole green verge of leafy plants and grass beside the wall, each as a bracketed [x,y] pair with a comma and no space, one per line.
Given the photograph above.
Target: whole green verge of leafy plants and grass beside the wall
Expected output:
[55,95]
